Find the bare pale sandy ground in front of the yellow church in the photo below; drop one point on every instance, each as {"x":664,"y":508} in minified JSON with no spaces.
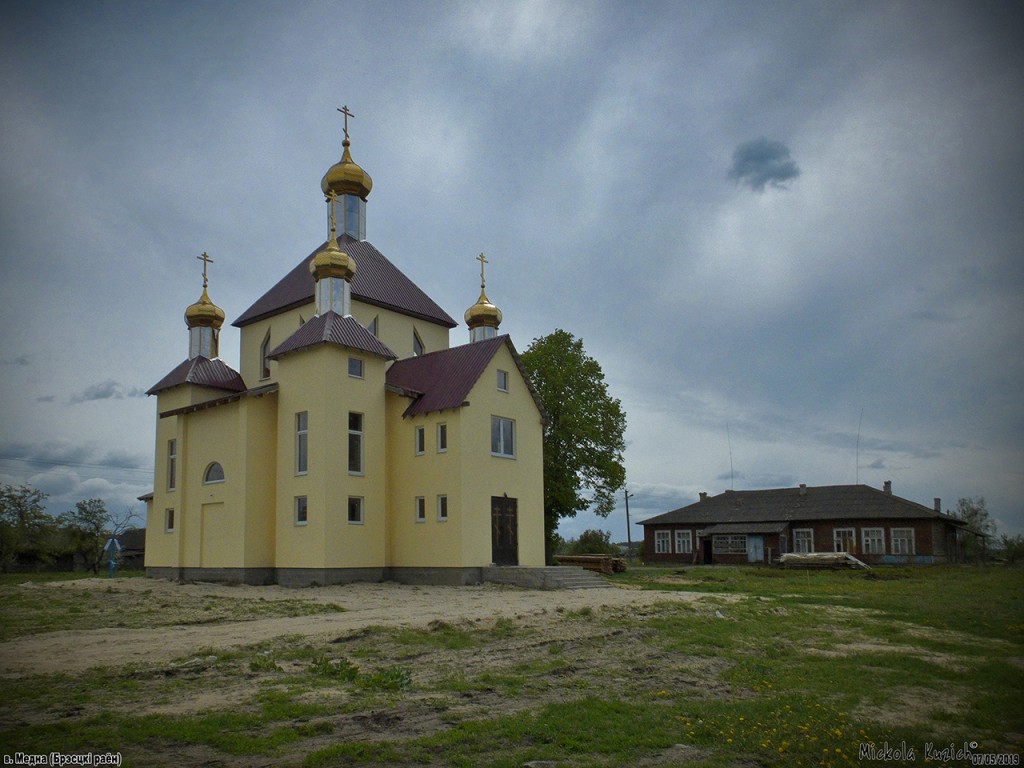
{"x":365,"y":606}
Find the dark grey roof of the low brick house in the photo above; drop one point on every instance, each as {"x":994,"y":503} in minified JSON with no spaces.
{"x":800,"y":504}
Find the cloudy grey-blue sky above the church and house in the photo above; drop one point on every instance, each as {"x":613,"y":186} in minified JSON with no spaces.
{"x":792,"y":234}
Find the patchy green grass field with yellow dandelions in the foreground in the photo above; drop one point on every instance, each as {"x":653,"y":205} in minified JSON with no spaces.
{"x":765,"y":668}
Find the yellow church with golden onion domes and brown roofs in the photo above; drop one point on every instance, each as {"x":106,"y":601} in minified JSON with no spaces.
{"x":355,"y":444}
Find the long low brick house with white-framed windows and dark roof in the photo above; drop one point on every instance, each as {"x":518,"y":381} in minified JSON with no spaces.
{"x":757,"y":527}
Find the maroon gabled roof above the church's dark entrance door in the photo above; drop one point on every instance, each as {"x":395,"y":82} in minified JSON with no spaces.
{"x":442,"y":380}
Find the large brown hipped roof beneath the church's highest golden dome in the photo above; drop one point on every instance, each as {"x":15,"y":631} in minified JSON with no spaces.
{"x":377,"y":282}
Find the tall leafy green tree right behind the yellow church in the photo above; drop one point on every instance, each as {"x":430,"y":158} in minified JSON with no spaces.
{"x":584,"y":436}
